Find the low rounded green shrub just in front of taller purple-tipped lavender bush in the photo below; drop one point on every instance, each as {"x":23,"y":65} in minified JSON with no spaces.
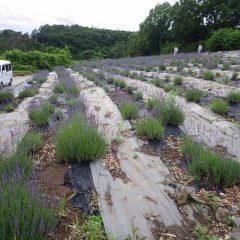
{"x":150,"y":129}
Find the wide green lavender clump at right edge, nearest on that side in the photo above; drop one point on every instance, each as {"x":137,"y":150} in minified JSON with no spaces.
{"x":224,"y":171}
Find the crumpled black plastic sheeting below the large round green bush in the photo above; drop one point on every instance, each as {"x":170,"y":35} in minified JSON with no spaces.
{"x":79,"y":178}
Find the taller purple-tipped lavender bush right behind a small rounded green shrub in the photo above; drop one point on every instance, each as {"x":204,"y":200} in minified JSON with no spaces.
{"x":169,"y":113}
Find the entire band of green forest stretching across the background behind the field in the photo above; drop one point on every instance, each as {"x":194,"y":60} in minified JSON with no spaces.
{"x":213,"y":23}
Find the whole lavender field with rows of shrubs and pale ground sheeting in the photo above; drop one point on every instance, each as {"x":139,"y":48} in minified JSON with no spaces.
{"x":129,"y":148}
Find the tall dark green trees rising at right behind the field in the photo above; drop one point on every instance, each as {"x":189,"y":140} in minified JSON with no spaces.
{"x":186,"y":24}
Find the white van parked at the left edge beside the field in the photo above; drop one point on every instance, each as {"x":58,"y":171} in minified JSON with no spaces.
{"x":6,"y":74}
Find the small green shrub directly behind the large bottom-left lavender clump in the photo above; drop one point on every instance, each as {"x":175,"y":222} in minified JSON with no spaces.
{"x":30,"y":144}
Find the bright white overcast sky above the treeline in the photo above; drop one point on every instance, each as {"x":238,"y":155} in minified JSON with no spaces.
{"x":25,"y":15}
